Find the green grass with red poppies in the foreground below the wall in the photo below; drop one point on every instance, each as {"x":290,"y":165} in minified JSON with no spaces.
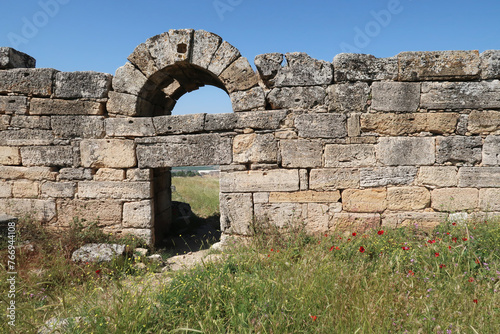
{"x":403,"y":282}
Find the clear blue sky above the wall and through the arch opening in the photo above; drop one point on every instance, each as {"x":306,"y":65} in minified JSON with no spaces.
{"x":77,"y":35}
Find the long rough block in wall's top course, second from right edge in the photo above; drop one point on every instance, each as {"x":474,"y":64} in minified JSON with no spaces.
{"x":438,"y":65}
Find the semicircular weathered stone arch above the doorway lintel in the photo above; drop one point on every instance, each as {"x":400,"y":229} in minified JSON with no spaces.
{"x":168,"y":65}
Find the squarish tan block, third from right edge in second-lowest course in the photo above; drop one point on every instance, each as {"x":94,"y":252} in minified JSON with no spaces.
{"x":408,"y":198}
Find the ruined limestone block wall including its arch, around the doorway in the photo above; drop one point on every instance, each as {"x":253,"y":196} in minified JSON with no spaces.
{"x":351,"y":144}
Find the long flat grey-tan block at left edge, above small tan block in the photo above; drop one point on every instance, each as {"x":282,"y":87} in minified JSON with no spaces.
{"x":26,"y":137}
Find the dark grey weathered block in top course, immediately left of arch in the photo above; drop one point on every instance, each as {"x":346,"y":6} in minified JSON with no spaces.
{"x":87,"y":84}
